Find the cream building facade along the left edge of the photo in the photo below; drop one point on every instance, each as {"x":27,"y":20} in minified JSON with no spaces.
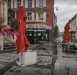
{"x":3,"y":14}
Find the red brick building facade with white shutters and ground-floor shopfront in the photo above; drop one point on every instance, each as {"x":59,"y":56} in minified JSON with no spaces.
{"x":40,"y":18}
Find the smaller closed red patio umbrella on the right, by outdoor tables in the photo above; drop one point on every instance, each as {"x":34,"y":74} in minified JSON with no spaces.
{"x":66,"y":36}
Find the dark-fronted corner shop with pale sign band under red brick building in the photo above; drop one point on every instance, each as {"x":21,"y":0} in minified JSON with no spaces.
{"x":36,"y":33}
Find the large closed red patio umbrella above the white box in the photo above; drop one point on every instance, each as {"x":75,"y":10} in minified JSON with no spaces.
{"x":22,"y":41}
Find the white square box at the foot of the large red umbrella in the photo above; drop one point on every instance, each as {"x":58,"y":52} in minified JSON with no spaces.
{"x":27,"y":58}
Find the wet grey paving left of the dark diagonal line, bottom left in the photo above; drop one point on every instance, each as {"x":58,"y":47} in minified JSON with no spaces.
{"x":6,"y":61}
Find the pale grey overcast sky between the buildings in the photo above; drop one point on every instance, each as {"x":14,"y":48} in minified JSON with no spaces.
{"x":66,"y":10}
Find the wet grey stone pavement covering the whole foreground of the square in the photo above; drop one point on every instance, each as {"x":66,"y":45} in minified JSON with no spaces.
{"x":47,"y":63}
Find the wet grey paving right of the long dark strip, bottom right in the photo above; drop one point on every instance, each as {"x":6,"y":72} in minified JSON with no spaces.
{"x":66,"y":64}
